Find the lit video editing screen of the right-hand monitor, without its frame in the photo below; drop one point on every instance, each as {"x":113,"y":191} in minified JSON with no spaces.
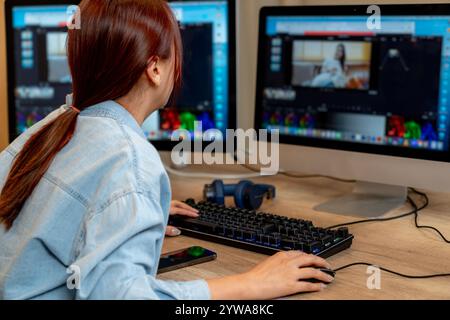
{"x":332,"y":78}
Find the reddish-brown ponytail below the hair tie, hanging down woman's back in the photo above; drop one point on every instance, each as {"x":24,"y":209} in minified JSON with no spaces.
{"x":32,"y":162}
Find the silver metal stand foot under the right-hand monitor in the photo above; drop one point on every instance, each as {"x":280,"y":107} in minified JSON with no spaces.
{"x":368,"y":200}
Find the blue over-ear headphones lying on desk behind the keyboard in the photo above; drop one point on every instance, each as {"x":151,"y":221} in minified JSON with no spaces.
{"x":247,"y":195}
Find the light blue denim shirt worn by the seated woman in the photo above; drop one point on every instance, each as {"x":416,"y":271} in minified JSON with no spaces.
{"x":95,"y":221}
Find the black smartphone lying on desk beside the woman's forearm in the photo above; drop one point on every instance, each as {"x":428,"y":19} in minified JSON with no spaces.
{"x":184,"y":258}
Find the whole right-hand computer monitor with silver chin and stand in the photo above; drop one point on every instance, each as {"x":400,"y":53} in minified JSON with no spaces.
{"x":356,"y":99}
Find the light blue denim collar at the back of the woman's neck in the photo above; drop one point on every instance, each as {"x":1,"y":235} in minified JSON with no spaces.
{"x":113,"y":110}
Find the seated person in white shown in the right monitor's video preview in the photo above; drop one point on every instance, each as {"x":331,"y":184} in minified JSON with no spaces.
{"x":332,"y":74}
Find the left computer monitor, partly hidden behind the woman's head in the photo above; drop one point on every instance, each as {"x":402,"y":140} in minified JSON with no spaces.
{"x":39,"y":77}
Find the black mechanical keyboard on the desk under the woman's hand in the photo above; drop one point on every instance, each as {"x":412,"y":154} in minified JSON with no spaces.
{"x":260,"y":232}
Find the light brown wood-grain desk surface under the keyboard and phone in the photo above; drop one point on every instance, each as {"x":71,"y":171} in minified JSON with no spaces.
{"x":396,"y":245}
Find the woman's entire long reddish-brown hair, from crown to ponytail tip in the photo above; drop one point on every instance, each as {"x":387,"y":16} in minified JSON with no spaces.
{"x":107,"y":56}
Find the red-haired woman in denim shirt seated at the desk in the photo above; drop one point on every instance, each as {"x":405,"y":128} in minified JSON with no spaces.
{"x":85,"y":196}
